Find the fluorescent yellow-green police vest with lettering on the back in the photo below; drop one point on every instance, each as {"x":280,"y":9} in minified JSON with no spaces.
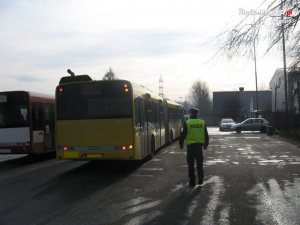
{"x":195,"y":131}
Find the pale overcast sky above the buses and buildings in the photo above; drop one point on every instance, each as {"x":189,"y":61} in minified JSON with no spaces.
{"x":140,"y":40}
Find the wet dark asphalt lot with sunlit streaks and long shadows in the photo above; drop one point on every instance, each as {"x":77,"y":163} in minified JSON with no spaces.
{"x":250,"y":178}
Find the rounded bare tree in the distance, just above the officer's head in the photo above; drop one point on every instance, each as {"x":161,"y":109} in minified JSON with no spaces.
{"x":200,"y":97}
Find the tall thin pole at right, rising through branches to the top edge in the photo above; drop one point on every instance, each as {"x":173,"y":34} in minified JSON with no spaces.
{"x":284,"y":68}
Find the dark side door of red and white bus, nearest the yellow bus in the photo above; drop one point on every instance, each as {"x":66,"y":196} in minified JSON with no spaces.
{"x":48,"y":126}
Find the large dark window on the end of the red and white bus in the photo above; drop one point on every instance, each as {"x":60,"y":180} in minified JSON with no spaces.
{"x":14,"y":109}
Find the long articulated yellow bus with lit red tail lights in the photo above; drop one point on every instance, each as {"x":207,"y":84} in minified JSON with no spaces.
{"x":112,"y":120}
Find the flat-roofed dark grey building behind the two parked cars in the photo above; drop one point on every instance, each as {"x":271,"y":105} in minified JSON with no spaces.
{"x":240,"y":105}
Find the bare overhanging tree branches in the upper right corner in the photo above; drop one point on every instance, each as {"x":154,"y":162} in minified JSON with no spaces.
{"x":279,"y":18}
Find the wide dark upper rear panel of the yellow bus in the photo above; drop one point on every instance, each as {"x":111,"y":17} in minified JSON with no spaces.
{"x":93,"y":100}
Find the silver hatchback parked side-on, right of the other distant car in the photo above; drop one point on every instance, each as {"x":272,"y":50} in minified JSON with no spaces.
{"x":251,"y":124}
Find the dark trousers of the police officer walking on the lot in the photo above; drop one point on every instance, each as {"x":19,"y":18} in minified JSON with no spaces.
{"x":195,"y":153}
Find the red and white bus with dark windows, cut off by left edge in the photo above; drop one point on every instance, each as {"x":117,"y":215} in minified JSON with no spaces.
{"x":26,"y":122}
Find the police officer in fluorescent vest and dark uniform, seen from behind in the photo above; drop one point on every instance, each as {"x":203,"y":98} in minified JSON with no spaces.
{"x":195,"y":136}
